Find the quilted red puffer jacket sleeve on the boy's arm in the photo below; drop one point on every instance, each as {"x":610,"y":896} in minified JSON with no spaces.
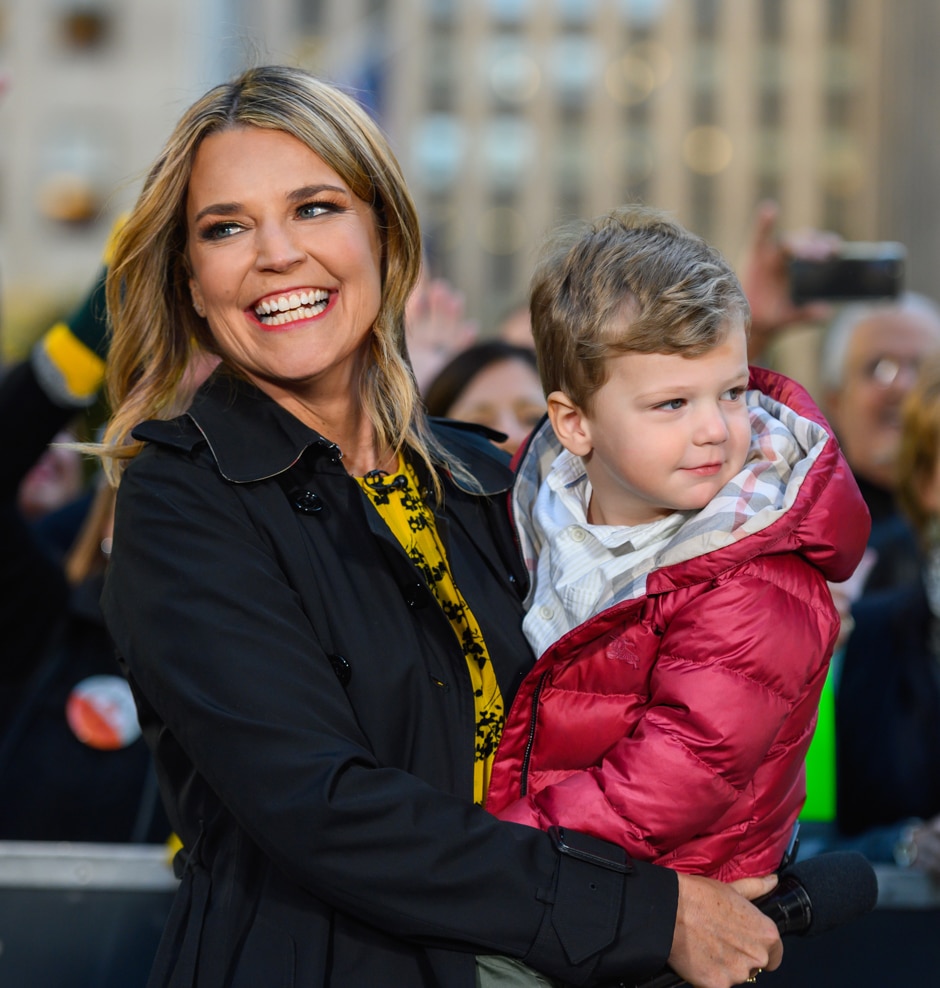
{"x":737,"y":675}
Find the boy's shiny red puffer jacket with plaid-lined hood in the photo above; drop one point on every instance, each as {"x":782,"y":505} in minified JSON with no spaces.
{"x":676,"y":721}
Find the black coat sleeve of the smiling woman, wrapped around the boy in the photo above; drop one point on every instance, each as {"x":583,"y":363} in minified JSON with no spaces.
{"x":217,"y":643}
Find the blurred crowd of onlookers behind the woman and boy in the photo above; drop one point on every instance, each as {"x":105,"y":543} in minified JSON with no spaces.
{"x":67,"y":717}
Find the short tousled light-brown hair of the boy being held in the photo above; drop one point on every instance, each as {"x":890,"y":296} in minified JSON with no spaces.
{"x":632,"y":280}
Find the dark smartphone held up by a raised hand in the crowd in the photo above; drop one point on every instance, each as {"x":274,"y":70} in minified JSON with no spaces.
{"x":860,"y":270}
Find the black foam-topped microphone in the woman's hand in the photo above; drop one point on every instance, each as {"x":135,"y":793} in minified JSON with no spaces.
{"x":813,"y":897}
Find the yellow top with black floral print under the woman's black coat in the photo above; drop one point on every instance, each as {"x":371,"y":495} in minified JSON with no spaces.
{"x":400,"y":504}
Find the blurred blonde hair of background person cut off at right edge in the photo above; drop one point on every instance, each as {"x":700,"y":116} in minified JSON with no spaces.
{"x":919,"y":450}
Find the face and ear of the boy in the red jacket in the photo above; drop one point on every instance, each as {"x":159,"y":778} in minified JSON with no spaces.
{"x":666,"y":432}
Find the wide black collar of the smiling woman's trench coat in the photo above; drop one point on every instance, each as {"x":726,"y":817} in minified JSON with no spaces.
{"x":251,"y":437}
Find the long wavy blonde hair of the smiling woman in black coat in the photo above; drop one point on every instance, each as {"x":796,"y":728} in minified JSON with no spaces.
{"x":155,"y":330}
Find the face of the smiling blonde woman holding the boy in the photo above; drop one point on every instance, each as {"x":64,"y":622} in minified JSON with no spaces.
{"x":285,"y":263}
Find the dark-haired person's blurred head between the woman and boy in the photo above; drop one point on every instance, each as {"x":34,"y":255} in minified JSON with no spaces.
{"x":493,"y":383}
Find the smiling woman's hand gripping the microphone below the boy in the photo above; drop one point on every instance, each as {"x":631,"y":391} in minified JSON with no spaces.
{"x":721,"y":939}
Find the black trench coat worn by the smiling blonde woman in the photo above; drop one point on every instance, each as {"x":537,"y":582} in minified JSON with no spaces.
{"x":313,"y":726}
